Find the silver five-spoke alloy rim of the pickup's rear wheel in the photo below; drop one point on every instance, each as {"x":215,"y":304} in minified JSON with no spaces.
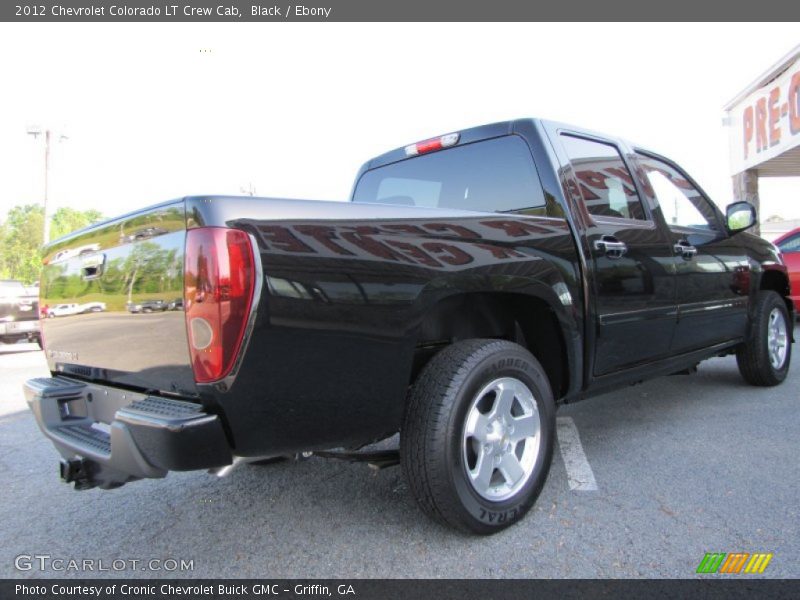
{"x":501,"y":440}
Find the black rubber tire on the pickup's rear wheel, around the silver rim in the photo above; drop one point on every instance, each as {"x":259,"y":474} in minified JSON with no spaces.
{"x":431,"y":443}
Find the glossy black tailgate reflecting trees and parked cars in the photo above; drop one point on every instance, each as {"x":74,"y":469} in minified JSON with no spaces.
{"x":113,"y":296}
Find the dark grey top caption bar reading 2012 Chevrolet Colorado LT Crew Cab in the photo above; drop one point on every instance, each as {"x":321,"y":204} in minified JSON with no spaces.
{"x":240,"y":11}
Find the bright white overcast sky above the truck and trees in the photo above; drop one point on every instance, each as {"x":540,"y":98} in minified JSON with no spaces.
{"x":296,"y":108}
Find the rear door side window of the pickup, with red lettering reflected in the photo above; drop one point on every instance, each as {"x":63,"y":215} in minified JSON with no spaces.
{"x":605,"y":183}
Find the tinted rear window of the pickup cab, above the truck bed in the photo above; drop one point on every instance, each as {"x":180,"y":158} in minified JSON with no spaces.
{"x":493,"y":176}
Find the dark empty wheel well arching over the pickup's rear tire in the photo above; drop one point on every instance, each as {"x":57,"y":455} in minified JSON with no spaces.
{"x":526,"y":320}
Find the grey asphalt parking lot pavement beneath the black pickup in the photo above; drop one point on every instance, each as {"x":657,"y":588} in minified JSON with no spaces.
{"x":682,"y":465}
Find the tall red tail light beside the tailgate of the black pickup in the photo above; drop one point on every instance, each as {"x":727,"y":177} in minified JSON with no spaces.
{"x":219,"y":280}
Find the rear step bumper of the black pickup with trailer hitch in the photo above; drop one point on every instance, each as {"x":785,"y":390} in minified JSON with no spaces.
{"x":108,"y":437}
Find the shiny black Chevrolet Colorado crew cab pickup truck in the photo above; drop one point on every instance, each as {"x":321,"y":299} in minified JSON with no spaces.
{"x":475,"y":281}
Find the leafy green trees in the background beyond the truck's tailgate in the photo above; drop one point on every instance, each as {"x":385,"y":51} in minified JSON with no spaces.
{"x":21,"y":237}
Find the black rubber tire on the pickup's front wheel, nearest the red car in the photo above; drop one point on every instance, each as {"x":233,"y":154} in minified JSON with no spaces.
{"x":753,"y":356}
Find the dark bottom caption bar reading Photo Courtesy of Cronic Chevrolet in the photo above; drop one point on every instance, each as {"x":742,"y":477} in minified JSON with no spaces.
{"x":382,"y":589}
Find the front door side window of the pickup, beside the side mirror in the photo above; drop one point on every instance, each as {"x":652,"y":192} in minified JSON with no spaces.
{"x":681,"y":203}
